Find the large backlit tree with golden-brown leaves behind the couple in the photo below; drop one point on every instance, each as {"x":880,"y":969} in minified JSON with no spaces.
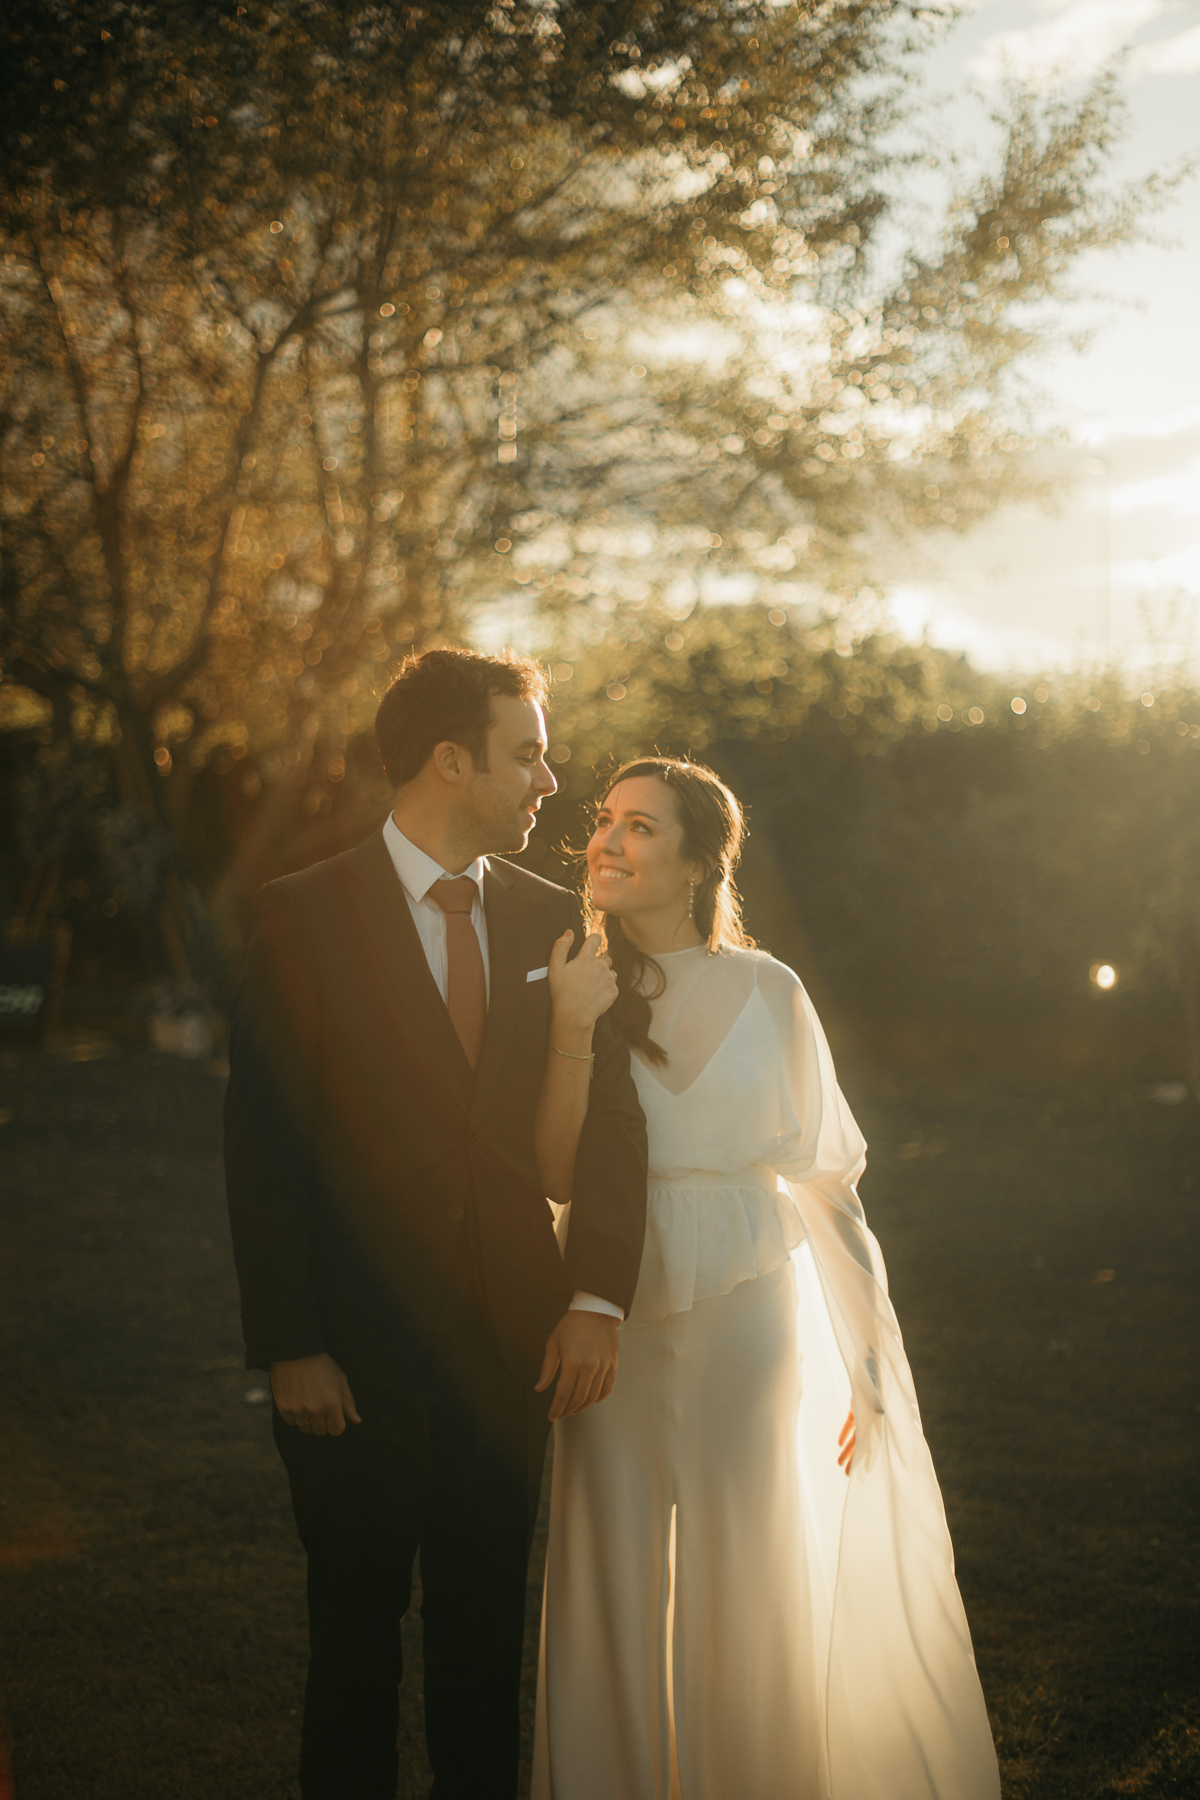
{"x":321,"y":332}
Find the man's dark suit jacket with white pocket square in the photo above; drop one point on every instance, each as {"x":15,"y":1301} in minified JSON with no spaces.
{"x":372,"y":1173}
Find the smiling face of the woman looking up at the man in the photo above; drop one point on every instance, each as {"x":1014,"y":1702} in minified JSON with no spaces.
{"x":636,"y":854}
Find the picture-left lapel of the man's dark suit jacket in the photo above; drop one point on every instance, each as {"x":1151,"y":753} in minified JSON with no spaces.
{"x":384,"y":912}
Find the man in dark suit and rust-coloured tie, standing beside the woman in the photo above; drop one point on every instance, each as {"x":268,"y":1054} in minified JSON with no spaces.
{"x":399,"y":1266}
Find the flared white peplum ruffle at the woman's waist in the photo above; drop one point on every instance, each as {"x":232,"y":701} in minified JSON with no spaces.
{"x":706,"y":1234}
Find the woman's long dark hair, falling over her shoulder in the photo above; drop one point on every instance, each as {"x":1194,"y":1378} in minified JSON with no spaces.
{"x":713,"y":834}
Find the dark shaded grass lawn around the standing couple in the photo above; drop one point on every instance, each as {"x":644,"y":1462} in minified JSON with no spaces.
{"x":152,"y":1592}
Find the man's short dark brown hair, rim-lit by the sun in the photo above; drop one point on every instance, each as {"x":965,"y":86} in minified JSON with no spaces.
{"x":445,"y":696}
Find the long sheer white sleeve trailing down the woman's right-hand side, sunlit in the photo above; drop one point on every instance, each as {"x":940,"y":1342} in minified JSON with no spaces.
{"x":906,"y":1718}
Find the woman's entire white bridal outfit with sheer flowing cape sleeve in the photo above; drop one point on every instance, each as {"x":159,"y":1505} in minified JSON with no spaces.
{"x":728,"y":1617}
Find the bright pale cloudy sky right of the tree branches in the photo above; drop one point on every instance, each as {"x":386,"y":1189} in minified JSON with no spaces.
{"x":1113,"y":573}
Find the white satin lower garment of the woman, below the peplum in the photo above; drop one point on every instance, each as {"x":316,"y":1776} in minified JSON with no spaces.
{"x":677,"y":1650}
